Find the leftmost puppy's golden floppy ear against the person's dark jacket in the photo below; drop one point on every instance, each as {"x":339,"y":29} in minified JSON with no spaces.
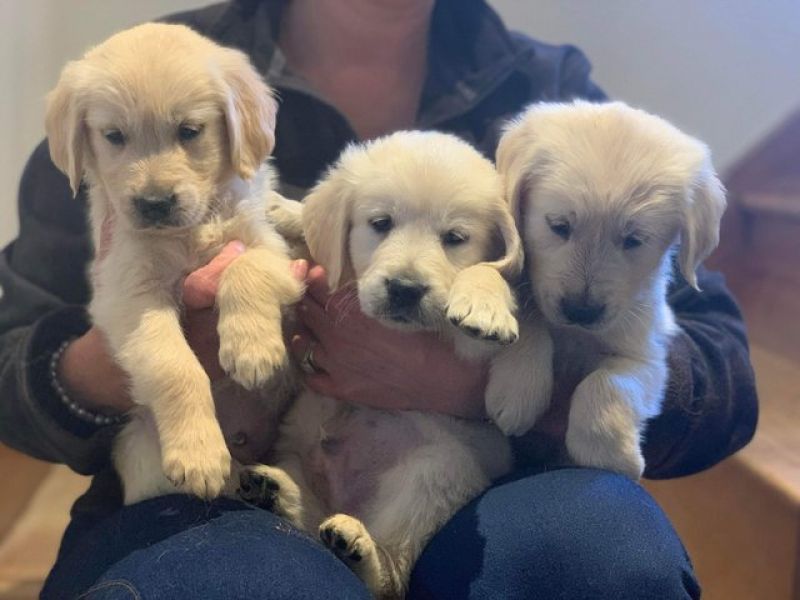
{"x":250,"y":112}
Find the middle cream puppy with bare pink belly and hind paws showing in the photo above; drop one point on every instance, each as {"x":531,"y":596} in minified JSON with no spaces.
{"x":417,"y":225}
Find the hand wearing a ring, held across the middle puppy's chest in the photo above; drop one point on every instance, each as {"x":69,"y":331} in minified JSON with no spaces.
{"x":364,"y":362}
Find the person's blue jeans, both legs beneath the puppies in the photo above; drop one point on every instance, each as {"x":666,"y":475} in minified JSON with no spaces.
{"x":568,"y":533}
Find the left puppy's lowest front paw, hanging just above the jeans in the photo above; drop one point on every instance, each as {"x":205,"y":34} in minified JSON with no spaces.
{"x":200,"y":463}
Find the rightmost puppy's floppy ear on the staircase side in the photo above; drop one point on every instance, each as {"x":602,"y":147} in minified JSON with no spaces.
{"x":702,"y":212}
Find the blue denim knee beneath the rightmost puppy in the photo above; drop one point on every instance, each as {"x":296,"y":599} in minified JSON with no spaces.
{"x":570,"y":534}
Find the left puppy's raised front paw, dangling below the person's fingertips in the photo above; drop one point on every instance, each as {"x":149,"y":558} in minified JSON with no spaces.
{"x":250,"y":350}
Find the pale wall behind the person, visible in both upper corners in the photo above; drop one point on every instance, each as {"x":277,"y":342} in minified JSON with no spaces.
{"x":726,"y":70}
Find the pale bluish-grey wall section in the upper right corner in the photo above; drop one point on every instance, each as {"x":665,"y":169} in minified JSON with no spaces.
{"x":726,"y":70}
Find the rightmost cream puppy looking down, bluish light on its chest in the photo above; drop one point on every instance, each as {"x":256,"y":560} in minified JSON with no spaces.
{"x":604,"y":196}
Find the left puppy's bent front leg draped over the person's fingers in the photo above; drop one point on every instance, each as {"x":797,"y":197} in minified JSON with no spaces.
{"x":252,"y":292}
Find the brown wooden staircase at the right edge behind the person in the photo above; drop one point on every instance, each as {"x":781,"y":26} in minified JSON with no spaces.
{"x":740,"y":520}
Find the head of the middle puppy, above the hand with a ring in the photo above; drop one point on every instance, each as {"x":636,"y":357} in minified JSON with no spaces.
{"x":402,"y":215}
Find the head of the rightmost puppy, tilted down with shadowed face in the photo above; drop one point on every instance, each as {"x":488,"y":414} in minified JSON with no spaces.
{"x":602,"y":193}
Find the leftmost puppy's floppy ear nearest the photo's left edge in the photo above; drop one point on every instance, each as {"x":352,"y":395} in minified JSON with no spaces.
{"x":65,"y":127}
